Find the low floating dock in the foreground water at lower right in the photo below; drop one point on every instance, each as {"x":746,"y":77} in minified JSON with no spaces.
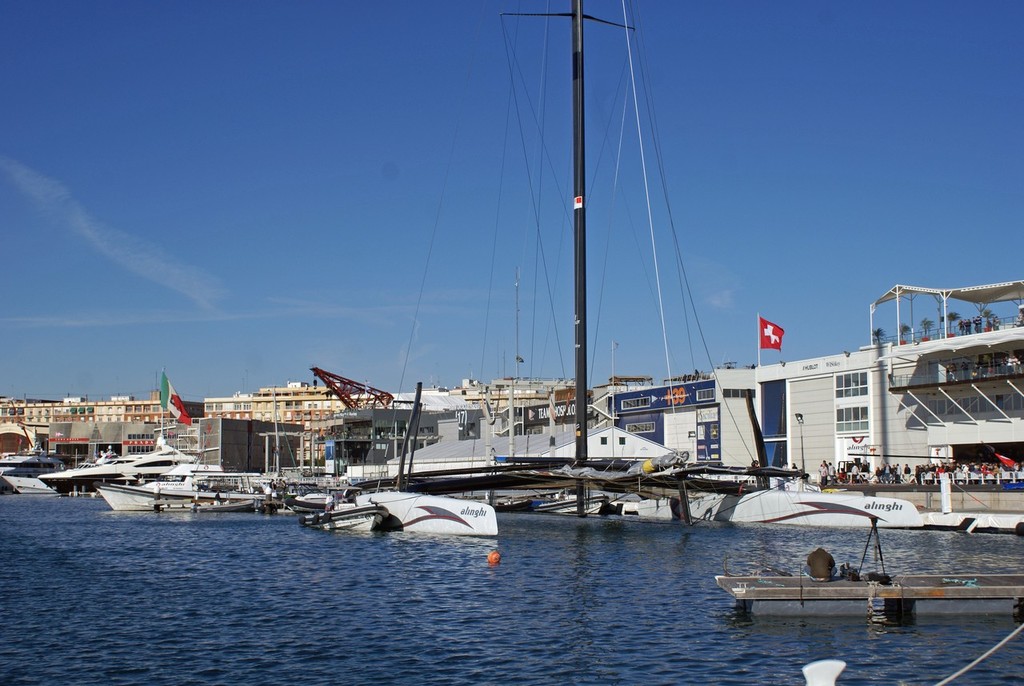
{"x":906,"y":595}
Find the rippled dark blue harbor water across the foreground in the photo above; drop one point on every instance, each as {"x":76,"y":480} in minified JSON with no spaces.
{"x":98,"y":597}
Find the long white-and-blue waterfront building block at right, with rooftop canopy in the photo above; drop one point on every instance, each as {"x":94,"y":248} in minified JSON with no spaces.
{"x":930,"y":394}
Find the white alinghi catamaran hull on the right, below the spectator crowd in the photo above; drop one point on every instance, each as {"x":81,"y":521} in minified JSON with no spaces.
{"x":806,"y":509}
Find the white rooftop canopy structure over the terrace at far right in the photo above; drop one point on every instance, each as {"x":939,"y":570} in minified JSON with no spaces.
{"x":978,"y":296}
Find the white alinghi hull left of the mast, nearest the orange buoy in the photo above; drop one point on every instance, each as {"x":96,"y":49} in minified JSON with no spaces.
{"x":435,"y":514}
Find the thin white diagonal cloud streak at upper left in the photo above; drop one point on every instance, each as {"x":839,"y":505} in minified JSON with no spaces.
{"x":124,"y":250}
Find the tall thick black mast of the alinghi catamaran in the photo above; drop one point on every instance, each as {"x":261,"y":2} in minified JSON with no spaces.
{"x":580,"y":240}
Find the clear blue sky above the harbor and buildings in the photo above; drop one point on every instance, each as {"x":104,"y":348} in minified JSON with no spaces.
{"x":236,"y":192}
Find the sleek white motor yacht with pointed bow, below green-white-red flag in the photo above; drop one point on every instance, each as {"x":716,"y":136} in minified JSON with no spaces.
{"x":118,"y":469}
